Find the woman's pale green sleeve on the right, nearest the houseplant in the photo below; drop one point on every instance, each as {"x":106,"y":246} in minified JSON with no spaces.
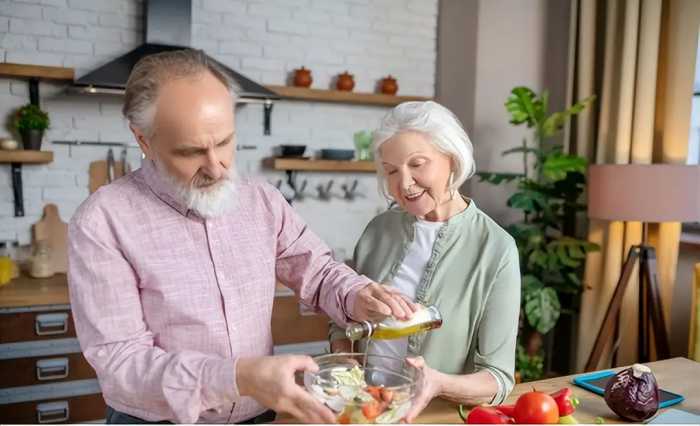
{"x":498,"y":328}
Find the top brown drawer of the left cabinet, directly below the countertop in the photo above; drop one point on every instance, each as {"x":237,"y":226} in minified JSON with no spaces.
{"x":28,"y":326}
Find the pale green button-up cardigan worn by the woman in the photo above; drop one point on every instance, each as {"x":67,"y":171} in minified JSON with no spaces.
{"x":472,"y":276}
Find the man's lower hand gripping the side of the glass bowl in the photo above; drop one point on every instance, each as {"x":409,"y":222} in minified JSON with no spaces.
{"x":270,"y":381}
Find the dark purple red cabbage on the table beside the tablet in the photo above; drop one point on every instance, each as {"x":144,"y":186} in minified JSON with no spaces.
{"x":633,"y":393}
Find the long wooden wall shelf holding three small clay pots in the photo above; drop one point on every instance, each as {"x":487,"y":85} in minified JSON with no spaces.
{"x":319,"y":95}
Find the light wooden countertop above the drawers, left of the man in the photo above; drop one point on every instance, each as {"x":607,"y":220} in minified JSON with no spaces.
{"x":26,"y":291}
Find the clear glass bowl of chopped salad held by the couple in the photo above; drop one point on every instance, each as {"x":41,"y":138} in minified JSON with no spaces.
{"x":362,"y":388}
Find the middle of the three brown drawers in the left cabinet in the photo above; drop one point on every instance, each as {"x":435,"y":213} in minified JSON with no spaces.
{"x":45,"y":369}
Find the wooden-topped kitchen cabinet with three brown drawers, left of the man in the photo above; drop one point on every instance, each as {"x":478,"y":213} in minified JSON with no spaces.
{"x":45,"y":378}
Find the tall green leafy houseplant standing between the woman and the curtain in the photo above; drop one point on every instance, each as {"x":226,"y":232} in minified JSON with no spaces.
{"x":548,"y":194}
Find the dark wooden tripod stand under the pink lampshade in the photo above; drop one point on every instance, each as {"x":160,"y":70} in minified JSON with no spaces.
{"x":650,"y":309}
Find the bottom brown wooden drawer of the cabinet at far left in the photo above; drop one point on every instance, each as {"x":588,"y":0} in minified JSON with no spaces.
{"x":64,"y":410}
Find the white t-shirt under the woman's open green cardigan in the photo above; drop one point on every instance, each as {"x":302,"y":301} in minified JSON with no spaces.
{"x":407,"y":279}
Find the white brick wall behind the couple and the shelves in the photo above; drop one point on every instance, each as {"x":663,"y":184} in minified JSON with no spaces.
{"x":265,"y":40}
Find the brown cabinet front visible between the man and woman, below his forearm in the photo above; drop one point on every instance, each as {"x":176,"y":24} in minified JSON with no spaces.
{"x":289,"y":325}
